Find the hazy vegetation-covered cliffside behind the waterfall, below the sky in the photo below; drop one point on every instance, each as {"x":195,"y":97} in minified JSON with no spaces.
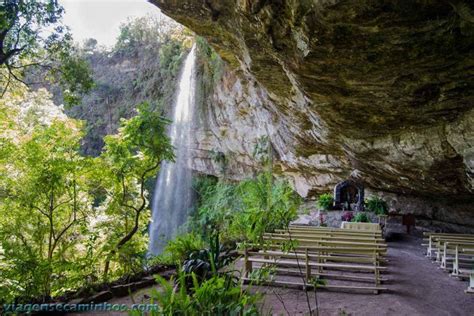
{"x":142,"y":67}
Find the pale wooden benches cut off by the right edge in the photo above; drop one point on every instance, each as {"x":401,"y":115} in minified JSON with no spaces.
{"x":454,"y":253}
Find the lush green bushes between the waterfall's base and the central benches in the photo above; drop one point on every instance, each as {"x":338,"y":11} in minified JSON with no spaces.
{"x":246,"y":210}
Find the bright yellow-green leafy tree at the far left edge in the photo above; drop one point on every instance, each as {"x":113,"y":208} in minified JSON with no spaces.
{"x":45,"y":202}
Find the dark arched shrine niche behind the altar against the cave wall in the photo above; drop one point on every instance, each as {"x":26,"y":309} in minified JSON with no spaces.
{"x":349,"y":195}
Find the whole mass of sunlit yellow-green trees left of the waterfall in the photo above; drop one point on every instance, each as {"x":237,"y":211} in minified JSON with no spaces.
{"x":66,"y":219}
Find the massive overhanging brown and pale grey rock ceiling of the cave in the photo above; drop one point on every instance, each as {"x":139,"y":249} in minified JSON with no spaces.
{"x":379,"y":91}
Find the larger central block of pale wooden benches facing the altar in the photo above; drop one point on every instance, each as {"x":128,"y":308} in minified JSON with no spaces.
{"x":328,"y":253}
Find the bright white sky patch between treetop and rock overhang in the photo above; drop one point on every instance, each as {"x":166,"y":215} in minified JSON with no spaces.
{"x":101,"y":19}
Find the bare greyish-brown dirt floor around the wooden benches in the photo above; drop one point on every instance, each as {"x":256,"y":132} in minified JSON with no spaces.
{"x":416,"y":287}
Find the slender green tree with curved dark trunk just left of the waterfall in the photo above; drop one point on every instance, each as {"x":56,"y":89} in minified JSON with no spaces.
{"x":130,"y":158}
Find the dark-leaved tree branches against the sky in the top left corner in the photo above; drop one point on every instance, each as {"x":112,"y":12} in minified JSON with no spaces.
{"x":31,"y":35}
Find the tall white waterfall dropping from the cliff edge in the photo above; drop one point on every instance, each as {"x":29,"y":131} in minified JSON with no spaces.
{"x":173,"y":196}
